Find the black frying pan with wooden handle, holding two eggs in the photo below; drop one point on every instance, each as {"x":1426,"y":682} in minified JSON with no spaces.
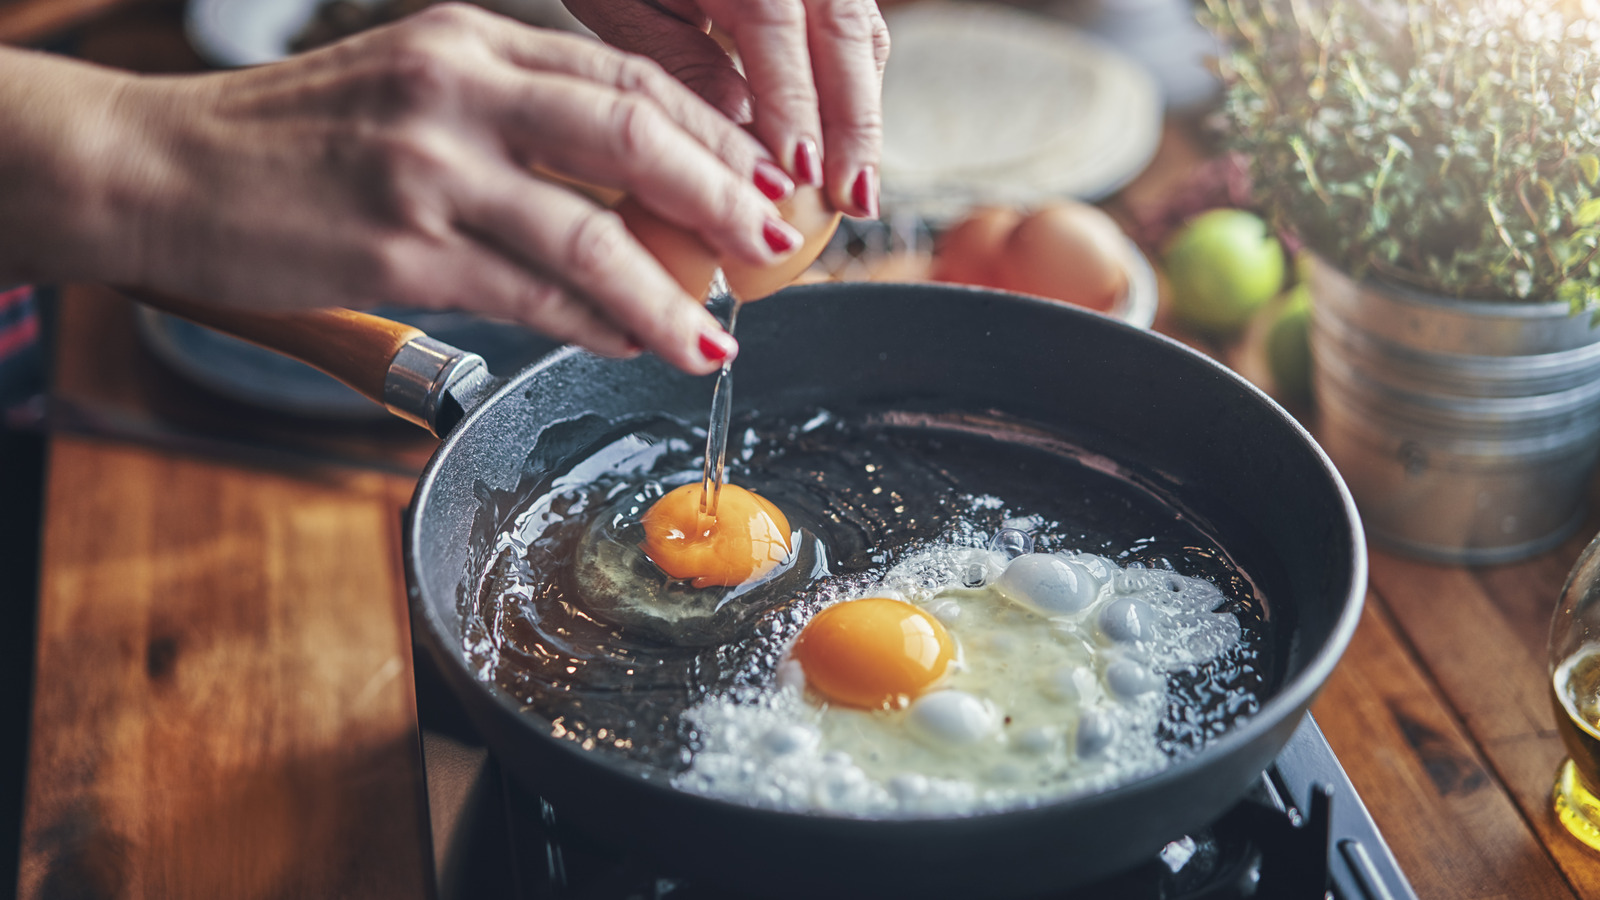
{"x":1220,"y":452}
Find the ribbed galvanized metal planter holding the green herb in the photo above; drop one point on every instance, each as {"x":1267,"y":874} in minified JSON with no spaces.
{"x":1466,"y":430}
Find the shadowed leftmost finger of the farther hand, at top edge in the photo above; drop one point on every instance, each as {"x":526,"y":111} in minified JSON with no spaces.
{"x":679,"y":44}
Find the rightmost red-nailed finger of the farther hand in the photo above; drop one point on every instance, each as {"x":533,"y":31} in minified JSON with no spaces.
{"x":850,"y":46}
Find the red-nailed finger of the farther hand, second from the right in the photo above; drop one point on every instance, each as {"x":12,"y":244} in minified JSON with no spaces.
{"x":774,"y":49}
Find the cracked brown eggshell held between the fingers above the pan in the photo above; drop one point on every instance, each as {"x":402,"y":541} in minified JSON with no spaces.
{"x":690,"y":262}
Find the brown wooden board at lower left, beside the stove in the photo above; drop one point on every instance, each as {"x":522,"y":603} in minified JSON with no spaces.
{"x":225,"y":701}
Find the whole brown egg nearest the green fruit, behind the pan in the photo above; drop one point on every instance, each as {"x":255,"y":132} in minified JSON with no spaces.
{"x":1070,"y":252}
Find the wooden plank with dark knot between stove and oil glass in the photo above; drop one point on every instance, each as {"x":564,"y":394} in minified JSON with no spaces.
{"x":1447,"y":819}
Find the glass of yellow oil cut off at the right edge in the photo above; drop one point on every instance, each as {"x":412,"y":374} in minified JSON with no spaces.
{"x":1575,"y":696}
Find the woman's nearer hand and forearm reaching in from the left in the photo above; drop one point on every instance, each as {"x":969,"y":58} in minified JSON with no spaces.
{"x":391,"y":169}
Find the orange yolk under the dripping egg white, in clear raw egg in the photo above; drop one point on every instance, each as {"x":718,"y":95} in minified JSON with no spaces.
{"x":745,"y":540}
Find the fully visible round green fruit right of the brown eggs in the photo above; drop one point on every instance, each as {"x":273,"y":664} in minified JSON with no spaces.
{"x":1223,"y":267}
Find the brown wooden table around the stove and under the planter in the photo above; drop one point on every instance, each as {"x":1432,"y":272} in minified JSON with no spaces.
{"x":225,"y":701}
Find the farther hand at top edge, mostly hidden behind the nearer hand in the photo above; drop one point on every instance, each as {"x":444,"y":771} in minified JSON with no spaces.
{"x":814,"y":73}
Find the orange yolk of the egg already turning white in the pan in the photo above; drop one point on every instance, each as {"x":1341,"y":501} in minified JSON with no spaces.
{"x":874,"y":653}
